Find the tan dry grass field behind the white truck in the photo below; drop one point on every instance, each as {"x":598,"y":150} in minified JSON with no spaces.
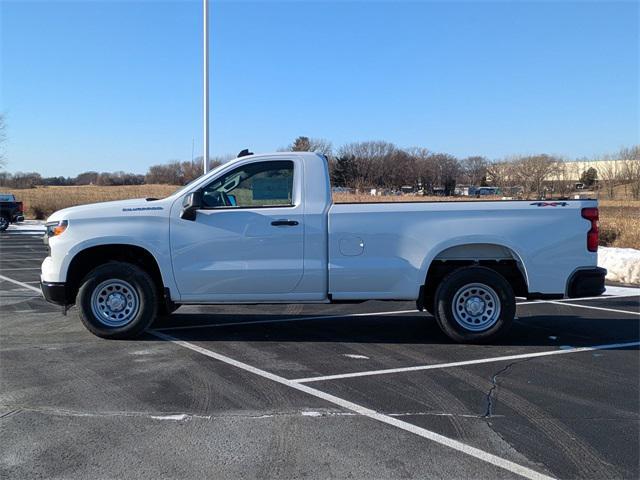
{"x":619,"y":219}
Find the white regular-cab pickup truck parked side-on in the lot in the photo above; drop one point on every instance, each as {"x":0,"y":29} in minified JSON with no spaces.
{"x":264,"y":229}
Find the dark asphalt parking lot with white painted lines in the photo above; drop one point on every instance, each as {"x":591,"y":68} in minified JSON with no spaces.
{"x":317,"y":391}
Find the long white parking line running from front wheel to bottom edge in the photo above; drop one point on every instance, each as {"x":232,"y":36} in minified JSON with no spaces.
{"x":367,"y":412}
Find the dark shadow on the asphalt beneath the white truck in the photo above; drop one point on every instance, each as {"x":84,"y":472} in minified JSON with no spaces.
{"x":535,"y":330}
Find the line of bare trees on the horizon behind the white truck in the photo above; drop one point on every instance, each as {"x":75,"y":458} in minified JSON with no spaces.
{"x":383,"y":165}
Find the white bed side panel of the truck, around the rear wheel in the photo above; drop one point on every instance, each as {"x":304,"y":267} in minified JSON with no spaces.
{"x":384,"y":250}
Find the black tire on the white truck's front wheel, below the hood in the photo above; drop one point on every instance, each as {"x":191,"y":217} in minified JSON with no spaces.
{"x":138,"y":284}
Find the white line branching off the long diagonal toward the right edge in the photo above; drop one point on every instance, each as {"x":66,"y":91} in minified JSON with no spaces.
{"x":466,"y":362}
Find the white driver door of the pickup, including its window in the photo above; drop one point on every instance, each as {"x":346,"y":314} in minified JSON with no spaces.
{"x":246,"y":242}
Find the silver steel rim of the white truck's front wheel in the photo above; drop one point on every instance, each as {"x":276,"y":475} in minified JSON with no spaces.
{"x":115,"y":303}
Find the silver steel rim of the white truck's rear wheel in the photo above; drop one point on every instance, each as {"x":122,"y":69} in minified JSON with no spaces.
{"x":476,"y":307}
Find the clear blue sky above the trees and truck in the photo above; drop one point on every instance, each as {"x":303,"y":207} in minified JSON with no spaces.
{"x":97,"y":85}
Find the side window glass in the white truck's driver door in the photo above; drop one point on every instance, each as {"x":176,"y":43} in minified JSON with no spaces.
{"x":259,"y":184}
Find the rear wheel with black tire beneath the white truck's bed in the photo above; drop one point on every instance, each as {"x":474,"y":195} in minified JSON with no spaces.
{"x":498,"y":302}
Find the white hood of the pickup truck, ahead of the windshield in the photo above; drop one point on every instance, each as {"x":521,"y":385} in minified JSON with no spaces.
{"x":115,"y":208}
